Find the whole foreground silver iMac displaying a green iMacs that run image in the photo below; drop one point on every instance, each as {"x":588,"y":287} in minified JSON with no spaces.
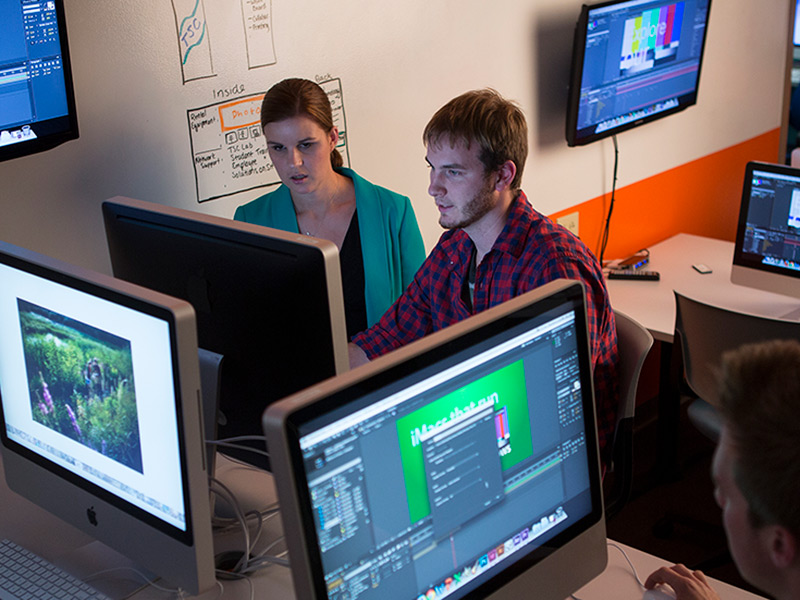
{"x":464,"y":465}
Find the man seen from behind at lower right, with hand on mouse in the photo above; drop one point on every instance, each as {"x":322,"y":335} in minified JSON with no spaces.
{"x":756,"y":470}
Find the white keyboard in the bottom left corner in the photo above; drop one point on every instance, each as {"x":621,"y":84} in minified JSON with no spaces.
{"x":24,"y":576}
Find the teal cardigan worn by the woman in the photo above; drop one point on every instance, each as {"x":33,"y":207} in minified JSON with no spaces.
{"x":391,"y":244}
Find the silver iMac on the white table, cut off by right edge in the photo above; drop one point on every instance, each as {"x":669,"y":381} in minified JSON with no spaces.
{"x":767,"y":248}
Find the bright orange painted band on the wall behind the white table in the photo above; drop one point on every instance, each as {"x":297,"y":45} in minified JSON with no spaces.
{"x":700,"y":197}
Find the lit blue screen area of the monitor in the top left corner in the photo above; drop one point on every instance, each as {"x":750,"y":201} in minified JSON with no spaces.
{"x":31,"y":68}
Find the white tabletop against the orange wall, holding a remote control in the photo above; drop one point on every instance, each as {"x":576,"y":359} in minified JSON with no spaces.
{"x":652,"y":303}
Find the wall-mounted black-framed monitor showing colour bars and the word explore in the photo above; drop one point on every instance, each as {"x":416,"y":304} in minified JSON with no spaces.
{"x":633,"y":61}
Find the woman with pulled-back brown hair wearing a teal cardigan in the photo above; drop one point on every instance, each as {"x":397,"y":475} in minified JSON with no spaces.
{"x":376,"y":231}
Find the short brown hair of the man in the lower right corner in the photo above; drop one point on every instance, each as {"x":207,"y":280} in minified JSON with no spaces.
{"x":760,"y":406}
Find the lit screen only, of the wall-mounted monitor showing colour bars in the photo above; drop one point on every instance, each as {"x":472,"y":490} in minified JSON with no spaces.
{"x":641,"y":61}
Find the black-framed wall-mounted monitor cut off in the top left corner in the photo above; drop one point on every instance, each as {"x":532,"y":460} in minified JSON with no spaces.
{"x":37,"y":103}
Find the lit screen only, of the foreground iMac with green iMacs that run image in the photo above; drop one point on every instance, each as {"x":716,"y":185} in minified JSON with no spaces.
{"x":440,"y":483}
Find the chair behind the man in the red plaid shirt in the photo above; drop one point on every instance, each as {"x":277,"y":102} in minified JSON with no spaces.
{"x":633,"y":342}
